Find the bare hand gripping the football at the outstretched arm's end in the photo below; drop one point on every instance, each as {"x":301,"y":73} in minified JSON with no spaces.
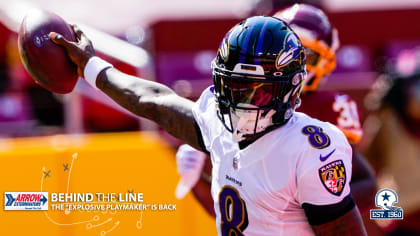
{"x":79,"y":52}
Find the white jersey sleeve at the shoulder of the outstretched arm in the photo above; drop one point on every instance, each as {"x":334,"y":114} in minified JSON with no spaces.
{"x":202,"y":112}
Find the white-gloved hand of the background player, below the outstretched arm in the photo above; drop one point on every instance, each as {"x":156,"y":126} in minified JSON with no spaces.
{"x":190,"y":163}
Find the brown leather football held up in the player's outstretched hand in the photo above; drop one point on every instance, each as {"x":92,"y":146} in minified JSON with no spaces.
{"x":47,"y":62}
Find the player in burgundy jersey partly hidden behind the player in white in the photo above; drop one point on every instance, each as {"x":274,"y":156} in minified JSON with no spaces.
{"x":320,"y":40}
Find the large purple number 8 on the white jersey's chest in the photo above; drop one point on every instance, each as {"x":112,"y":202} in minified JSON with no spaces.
{"x":232,"y":212}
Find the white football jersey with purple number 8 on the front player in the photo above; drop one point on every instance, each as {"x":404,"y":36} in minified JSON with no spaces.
{"x":259,"y":190}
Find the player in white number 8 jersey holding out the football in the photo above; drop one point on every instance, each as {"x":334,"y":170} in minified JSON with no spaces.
{"x":275,"y":172}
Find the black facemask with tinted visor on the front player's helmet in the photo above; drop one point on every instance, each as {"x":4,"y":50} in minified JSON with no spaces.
{"x":249,"y":102}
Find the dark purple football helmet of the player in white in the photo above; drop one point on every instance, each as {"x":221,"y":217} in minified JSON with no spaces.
{"x":258,"y":74}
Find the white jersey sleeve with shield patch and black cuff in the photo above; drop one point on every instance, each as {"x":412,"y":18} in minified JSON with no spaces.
{"x":323,"y":179}
